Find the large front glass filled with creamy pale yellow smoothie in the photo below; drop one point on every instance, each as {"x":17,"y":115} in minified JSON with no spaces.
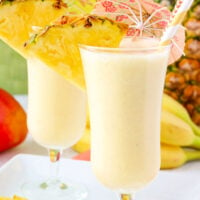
{"x":124,"y":87}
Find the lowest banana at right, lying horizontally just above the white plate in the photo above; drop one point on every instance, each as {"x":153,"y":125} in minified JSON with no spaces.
{"x":174,"y":156}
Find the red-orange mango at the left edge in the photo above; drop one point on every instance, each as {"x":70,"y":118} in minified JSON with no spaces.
{"x":13,"y":127}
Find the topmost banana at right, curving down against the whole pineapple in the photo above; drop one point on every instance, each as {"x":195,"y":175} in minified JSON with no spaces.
{"x":173,"y":106}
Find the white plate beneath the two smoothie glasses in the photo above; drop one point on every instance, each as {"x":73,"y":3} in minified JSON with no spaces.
{"x":179,"y":184}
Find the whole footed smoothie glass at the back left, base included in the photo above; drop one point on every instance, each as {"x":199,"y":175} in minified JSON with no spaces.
{"x":56,"y":120}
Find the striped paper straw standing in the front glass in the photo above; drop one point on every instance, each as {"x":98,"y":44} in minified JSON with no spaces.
{"x":178,"y":15}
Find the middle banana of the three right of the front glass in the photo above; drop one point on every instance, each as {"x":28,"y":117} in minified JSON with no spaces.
{"x":175,"y":131}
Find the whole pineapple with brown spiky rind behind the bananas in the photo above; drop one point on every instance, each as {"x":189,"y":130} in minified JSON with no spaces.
{"x":183,"y":77}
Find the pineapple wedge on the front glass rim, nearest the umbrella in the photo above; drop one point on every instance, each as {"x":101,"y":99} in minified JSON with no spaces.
{"x":57,"y":45}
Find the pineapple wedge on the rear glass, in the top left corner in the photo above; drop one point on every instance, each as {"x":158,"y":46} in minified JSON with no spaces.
{"x":18,"y":16}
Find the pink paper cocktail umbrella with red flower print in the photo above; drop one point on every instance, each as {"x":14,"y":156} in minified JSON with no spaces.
{"x":145,"y":18}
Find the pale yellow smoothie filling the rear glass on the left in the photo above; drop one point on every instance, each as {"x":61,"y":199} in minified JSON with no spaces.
{"x":56,"y":109}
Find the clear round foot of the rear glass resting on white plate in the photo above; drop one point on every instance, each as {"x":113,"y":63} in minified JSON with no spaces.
{"x":55,"y":190}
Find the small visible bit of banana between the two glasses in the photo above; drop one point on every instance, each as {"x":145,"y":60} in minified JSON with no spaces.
{"x":84,"y":143}
